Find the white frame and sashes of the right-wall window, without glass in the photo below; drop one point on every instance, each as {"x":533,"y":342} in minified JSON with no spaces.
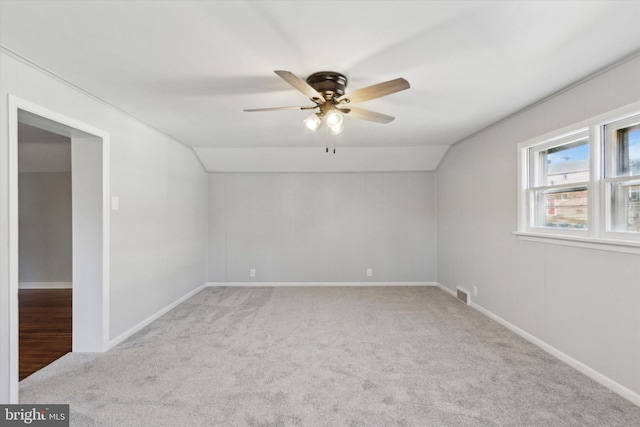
{"x":598,"y":235}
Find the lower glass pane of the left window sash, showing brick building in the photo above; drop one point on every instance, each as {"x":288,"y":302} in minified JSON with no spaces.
{"x":562,"y":209}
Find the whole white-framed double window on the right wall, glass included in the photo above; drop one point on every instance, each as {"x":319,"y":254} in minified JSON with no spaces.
{"x":583,"y":183}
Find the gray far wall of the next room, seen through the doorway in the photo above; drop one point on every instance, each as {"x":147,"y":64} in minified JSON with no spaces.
{"x":45,"y":227}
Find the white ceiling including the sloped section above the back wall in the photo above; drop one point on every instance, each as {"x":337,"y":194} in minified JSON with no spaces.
{"x":189,"y":68}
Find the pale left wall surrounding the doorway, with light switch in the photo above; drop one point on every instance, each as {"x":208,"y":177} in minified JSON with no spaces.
{"x":158,"y":237}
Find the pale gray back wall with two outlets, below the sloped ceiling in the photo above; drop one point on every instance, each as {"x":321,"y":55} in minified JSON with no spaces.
{"x":322,"y":227}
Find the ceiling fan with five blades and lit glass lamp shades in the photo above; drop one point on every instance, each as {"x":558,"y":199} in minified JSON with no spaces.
{"x":327,"y":90}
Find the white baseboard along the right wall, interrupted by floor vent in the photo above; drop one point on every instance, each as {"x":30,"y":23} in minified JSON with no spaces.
{"x":579,"y":366}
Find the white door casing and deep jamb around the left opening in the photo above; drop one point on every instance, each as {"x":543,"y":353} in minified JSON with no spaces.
{"x":89,"y":148}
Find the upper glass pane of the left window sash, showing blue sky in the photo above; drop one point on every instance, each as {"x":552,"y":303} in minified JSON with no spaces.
{"x":565,"y":164}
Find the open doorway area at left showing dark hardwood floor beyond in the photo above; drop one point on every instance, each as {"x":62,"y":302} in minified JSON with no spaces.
{"x":45,"y":248}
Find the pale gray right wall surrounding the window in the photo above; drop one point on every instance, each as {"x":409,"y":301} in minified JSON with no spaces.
{"x":583,"y":302}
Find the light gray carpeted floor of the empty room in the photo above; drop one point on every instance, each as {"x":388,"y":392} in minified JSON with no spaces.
{"x":325,"y":356}
